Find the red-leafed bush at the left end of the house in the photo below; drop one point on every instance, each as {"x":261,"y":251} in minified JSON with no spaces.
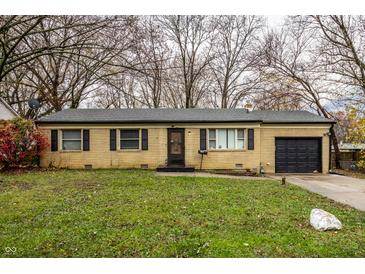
{"x":21,"y":143}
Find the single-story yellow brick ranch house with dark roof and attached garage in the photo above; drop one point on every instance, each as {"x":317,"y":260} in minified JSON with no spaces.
{"x":269,"y":141}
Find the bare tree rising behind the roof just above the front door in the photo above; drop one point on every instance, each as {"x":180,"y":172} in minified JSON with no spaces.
{"x":192,"y":37}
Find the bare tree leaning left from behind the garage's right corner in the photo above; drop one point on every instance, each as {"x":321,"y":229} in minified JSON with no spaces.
{"x":292,"y":56}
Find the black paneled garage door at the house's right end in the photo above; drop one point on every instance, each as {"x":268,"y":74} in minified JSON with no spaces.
{"x":298,"y":155}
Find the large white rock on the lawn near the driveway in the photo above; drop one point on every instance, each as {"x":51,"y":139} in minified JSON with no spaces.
{"x":323,"y":220}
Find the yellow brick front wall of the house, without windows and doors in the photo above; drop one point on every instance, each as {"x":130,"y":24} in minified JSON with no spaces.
{"x":100,"y":155}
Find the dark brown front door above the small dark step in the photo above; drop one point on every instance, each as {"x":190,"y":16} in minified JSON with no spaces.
{"x":176,"y":146}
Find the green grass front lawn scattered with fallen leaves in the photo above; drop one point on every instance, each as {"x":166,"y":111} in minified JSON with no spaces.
{"x":130,"y":213}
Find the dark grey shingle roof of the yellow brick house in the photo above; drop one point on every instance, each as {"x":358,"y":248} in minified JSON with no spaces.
{"x":180,"y":115}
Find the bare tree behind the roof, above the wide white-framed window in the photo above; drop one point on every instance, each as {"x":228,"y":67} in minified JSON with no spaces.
{"x":236,"y":48}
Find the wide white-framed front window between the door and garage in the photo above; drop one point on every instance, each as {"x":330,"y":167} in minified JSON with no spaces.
{"x":226,"y":138}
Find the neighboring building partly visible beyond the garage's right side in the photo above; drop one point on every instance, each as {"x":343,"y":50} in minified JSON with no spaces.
{"x":349,"y":154}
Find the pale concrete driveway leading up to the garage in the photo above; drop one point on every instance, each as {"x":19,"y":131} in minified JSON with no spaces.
{"x":342,"y":189}
